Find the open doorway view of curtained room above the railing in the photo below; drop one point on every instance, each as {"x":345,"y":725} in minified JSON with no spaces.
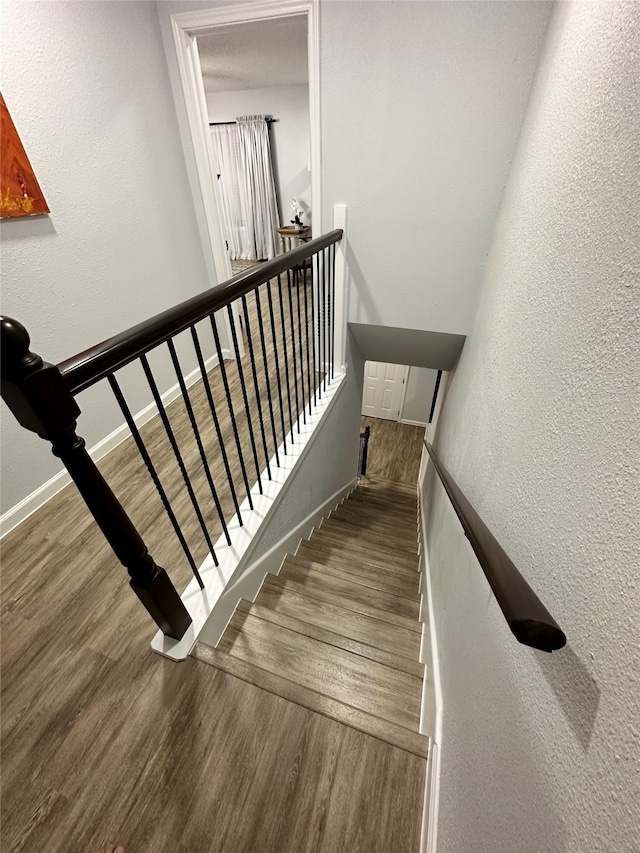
{"x":256,"y":84}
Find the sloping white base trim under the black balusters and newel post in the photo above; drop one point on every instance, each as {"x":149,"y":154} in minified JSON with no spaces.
{"x":232,"y":559}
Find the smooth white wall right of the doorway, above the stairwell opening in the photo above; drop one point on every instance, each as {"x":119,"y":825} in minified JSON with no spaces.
{"x":421,"y":108}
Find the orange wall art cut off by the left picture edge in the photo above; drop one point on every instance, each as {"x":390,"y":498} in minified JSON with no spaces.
{"x":20,"y":193}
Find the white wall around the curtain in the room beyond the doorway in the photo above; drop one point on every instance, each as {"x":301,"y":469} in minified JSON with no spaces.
{"x":289,"y":134}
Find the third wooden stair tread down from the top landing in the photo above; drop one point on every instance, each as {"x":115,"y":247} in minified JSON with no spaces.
{"x":350,"y":590}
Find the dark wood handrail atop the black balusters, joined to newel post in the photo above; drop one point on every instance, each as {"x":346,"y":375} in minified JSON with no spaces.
{"x":88,"y":367}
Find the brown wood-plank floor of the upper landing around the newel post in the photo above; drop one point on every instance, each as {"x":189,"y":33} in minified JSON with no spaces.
{"x":104,"y":741}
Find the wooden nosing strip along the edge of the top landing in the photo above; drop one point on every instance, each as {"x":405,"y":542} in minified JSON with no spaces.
{"x":368,"y":723}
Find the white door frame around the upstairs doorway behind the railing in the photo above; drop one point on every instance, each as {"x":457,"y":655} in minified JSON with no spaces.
{"x":185,"y":27}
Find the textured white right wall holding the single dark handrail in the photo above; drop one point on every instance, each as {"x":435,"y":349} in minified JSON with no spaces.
{"x":539,"y":427}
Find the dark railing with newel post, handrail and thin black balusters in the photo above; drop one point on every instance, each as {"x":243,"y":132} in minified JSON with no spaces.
{"x":292,"y":299}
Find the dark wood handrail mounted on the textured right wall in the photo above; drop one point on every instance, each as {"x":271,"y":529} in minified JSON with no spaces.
{"x":527,"y":617}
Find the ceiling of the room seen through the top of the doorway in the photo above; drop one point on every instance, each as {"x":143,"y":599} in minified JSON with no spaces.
{"x":255,"y":55}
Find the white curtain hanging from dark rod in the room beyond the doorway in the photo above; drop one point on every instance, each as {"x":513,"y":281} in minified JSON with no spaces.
{"x":247,"y":188}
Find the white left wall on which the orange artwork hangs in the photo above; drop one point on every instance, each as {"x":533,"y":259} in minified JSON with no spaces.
{"x":87,"y":86}
